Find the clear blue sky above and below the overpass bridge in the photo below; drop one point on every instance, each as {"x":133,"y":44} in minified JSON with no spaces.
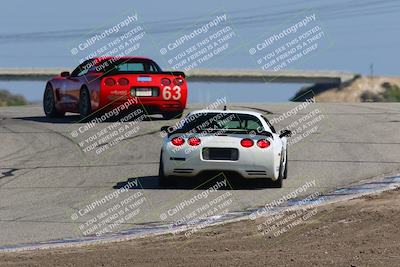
{"x":357,"y":34}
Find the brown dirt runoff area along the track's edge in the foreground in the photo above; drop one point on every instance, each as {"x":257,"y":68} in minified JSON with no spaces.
{"x":360,"y":232}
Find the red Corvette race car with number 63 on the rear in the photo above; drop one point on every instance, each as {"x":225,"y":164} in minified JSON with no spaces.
{"x":101,"y":84}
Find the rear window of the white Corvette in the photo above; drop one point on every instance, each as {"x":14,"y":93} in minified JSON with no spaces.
{"x":200,"y":122}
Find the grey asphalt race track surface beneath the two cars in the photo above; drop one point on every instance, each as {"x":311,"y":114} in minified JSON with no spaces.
{"x":46,"y":178}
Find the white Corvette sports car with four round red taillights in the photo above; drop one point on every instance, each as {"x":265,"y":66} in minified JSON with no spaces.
{"x":242,"y":142}
